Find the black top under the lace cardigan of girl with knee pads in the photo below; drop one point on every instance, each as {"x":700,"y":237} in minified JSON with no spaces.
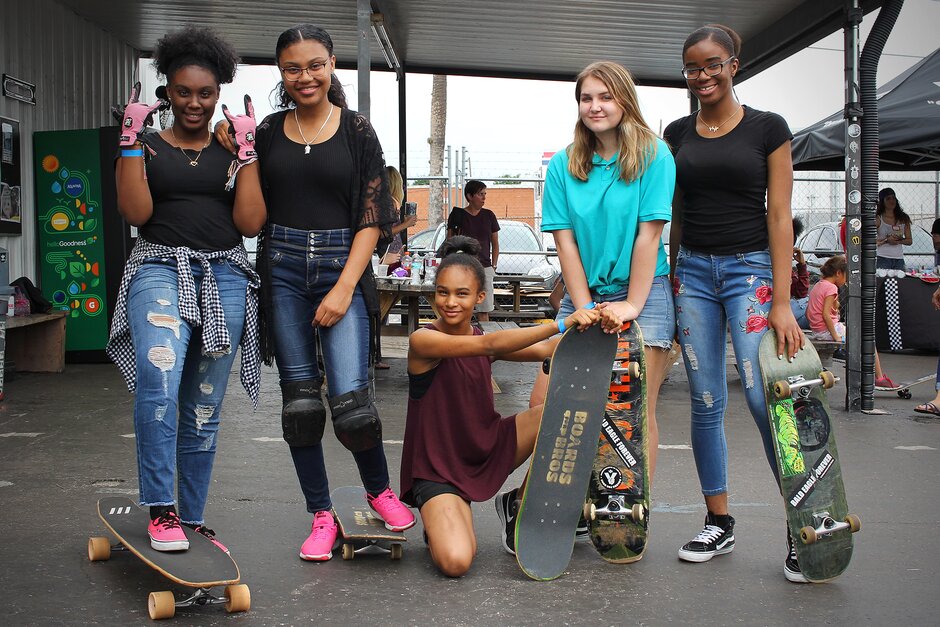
{"x":309,"y":191}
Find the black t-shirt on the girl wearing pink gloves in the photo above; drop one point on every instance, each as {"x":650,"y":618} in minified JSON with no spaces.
{"x":191,"y":206}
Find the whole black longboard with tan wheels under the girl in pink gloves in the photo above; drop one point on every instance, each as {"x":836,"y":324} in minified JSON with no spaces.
{"x":202,"y":566}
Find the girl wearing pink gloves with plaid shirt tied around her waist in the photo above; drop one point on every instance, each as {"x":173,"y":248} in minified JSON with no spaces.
{"x":188,"y":298}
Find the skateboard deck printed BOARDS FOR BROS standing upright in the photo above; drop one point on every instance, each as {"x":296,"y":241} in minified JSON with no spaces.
{"x":579,"y":375}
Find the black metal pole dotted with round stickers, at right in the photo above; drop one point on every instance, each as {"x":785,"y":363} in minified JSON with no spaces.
{"x":853,"y":210}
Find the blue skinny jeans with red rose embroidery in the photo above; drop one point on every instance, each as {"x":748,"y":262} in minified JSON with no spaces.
{"x":714,"y":293}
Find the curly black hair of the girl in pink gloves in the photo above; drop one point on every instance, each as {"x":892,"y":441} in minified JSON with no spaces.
{"x":196,"y":45}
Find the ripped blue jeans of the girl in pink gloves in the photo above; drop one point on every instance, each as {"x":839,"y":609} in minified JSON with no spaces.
{"x":179,"y":389}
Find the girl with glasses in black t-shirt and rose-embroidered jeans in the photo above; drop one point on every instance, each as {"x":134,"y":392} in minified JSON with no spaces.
{"x":733,"y":266}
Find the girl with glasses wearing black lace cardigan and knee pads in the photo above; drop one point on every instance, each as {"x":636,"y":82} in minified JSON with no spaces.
{"x":327,"y":195}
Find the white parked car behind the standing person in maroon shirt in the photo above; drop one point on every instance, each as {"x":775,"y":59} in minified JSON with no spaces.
{"x":520,"y":249}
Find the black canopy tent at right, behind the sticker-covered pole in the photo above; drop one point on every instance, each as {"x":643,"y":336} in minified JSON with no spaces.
{"x":908,"y":123}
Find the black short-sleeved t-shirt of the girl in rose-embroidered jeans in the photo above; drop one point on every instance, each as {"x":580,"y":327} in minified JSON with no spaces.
{"x":724,"y":181}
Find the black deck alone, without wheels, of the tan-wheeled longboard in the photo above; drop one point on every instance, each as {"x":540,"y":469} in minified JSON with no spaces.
{"x":203,"y":565}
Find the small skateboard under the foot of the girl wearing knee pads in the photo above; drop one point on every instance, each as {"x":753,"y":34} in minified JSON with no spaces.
{"x":359,"y":527}
